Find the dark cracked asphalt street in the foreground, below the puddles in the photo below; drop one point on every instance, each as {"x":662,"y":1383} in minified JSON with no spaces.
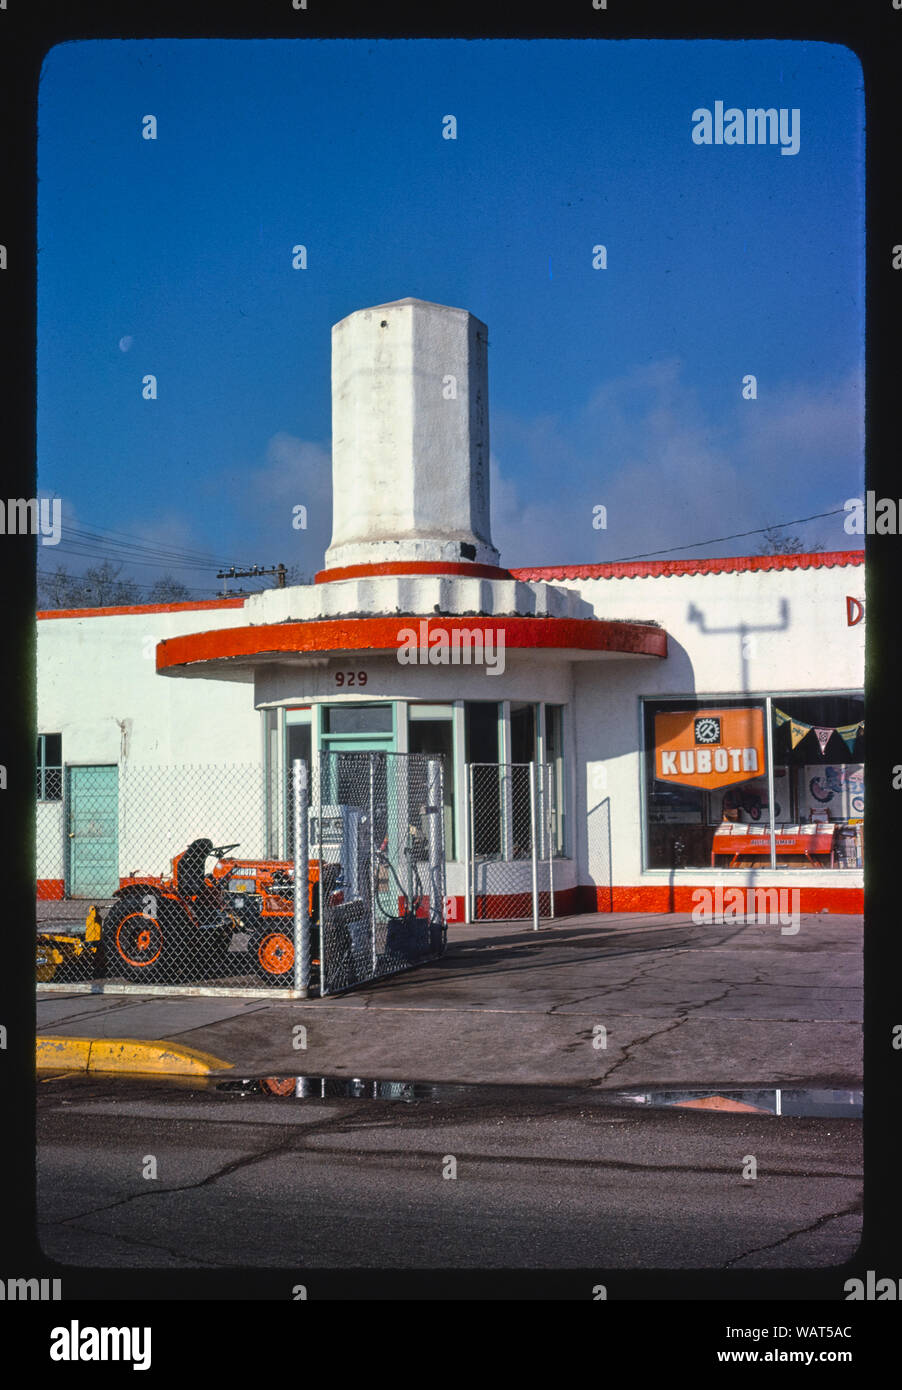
{"x":546,"y":1179}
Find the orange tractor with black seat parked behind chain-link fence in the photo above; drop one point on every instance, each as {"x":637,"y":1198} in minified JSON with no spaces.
{"x":240,"y":914}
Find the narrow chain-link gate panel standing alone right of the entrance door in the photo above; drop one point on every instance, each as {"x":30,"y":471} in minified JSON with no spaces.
{"x":511,"y":842}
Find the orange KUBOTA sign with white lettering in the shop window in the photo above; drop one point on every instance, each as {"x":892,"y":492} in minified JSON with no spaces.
{"x":710,"y":749}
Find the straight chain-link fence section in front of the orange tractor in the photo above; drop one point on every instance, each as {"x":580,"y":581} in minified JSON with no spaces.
{"x":173,"y":860}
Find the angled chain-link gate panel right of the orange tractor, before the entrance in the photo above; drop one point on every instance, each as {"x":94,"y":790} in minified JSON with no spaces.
{"x":380,"y":839}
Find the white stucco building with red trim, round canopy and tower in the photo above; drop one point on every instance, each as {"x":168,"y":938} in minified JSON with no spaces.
{"x":684,"y":708}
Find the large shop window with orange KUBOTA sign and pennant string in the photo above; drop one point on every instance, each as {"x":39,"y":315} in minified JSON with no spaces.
{"x":710,"y":786}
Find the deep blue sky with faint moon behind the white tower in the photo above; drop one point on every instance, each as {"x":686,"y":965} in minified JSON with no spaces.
{"x":618,"y":387}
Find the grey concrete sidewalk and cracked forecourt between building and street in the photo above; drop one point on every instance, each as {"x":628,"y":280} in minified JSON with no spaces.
{"x":673,"y":1004}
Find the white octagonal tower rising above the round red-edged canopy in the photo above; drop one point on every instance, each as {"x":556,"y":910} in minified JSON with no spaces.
{"x":411,"y":440}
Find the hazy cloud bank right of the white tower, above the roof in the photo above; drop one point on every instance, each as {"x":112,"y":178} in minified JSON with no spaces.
{"x":646,"y":448}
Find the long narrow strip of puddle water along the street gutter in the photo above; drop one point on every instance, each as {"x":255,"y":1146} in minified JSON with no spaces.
{"x":793,"y":1103}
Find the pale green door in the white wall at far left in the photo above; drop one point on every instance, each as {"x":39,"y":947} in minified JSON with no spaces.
{"x":94,"y":842}
